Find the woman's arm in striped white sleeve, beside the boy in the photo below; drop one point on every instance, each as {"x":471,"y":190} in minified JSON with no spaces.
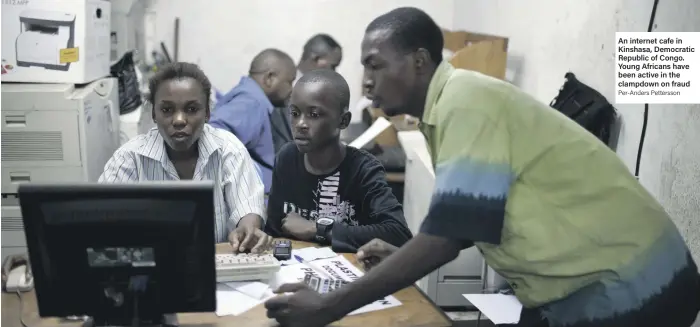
{"x":243,"y":190}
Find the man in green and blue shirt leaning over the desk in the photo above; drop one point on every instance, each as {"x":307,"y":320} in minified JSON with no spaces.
{"x":552,"y":209}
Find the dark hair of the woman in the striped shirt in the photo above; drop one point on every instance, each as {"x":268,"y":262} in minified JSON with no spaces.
{"x":179,"y":70}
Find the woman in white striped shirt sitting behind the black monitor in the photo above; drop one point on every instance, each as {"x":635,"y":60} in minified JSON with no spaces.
{"x":183,"y":147}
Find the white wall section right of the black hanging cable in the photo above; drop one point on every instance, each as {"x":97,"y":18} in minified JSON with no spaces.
{"x":670,"y":166}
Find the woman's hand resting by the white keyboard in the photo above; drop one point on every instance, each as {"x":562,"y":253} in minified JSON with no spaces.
{"x":248,"y":235}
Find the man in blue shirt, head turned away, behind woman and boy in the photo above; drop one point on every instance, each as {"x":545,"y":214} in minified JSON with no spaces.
{"x":245,"y":110}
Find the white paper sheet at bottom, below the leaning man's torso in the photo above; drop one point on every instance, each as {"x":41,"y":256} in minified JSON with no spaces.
{"x":499,"y":308}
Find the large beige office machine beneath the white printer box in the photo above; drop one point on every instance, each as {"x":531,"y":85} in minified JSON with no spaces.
{"x":53,"y":133}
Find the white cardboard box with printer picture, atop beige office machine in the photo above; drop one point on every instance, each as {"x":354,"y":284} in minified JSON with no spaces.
{"x":55,"y":41}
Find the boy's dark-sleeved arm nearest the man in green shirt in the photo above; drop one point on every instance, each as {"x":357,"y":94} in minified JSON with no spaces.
{"x":385,"y":218}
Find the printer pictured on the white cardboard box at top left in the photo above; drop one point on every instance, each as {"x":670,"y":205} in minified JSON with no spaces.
{"x":42,"y":35}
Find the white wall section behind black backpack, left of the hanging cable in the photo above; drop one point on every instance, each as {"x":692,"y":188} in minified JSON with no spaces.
{"x":547,"y":38}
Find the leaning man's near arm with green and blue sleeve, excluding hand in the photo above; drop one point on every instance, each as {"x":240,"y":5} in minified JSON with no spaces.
{"x":473,"y":177}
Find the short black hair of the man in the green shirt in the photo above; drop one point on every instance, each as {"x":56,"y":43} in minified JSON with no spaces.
{"x":411,"y":29}
